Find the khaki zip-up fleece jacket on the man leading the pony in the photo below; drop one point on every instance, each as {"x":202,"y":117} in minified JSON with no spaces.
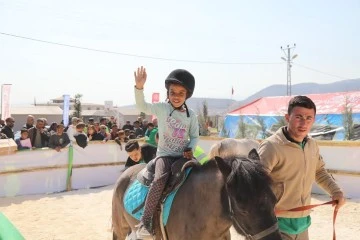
{"x":293,"y":171}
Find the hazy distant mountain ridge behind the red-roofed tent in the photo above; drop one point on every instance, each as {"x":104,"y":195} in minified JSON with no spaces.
{"x":301,"y":89}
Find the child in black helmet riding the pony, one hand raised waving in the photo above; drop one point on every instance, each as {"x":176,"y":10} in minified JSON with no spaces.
{"x":178,"y":129}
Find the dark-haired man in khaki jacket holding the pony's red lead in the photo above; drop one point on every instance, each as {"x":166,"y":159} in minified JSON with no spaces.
{"x":294,"y":163}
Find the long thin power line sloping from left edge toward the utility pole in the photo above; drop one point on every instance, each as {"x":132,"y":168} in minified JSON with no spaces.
{"x":135,"y":55}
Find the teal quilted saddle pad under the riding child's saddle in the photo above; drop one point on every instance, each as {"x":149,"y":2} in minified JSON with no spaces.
{"x":136,"y":194}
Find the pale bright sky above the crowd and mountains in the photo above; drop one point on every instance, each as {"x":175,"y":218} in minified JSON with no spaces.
{"x":224,"y":44}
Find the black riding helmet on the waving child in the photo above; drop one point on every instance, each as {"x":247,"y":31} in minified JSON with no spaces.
{"x":183,"y":78}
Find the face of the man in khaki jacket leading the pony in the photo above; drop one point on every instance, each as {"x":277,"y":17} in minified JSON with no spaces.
{"x":300,"y":122}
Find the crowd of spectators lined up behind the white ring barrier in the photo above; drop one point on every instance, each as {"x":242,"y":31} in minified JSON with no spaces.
{"x":38,"y":134}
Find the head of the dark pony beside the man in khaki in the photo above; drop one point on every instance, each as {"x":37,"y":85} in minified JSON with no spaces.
{"x":249,"y":199}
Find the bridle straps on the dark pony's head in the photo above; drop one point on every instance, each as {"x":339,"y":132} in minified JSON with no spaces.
{"x":257,"y":236}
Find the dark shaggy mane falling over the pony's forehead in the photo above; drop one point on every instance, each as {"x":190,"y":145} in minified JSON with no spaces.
{"x":249,"y":180}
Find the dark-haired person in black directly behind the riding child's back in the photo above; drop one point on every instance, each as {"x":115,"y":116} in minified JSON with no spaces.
{"x":139,"y":154}
